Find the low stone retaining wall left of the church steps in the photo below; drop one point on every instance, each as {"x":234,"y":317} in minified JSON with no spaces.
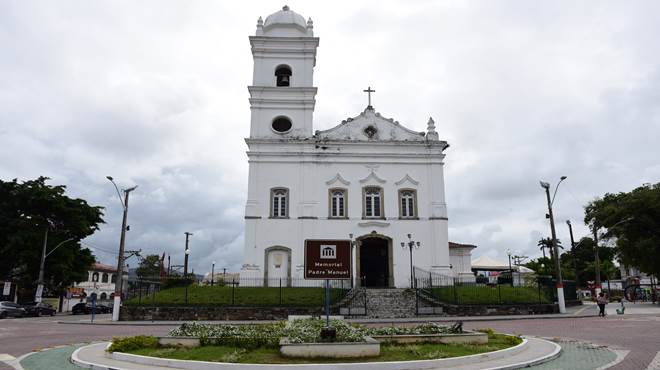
{"x":142,"y":313}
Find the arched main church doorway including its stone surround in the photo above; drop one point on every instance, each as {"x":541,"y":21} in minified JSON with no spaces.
{"x":374,"y":261}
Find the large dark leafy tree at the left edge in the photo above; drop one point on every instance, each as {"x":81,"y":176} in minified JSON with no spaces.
{"x":27,"y":210}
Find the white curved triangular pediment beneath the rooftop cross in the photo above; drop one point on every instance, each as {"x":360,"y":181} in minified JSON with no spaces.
{"x":370,"y":126}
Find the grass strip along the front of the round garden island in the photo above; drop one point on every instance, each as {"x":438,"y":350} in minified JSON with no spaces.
{"x":389,"y":352}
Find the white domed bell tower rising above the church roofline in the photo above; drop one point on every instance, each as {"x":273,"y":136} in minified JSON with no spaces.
{"x":282,"y":95}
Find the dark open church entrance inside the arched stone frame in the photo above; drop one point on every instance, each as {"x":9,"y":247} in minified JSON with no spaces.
{"x":374,"y":262}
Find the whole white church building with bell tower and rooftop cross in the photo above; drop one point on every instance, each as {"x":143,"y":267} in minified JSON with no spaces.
{"x":368,"y":177}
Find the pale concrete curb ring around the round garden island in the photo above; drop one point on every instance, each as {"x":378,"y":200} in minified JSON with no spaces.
{"x":418,"y":365}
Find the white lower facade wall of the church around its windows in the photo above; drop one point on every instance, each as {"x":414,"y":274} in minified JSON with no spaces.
{"x":309,"y":198}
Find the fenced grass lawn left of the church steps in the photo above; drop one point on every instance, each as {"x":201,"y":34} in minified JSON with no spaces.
{"x":242,"y":296}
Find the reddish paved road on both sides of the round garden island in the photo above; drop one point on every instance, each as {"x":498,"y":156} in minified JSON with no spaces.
{"x":637,"y":333}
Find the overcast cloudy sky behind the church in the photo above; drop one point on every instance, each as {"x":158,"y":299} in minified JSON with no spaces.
{"x":154,"y":94}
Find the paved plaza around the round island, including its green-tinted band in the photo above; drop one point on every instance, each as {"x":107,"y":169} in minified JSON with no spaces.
{"x":588,"y":341}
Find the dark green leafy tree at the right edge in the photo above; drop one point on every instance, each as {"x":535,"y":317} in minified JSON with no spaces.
{"x":633,"y":220}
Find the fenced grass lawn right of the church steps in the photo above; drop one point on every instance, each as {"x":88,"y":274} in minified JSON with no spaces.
{"x":500,"y":294}
